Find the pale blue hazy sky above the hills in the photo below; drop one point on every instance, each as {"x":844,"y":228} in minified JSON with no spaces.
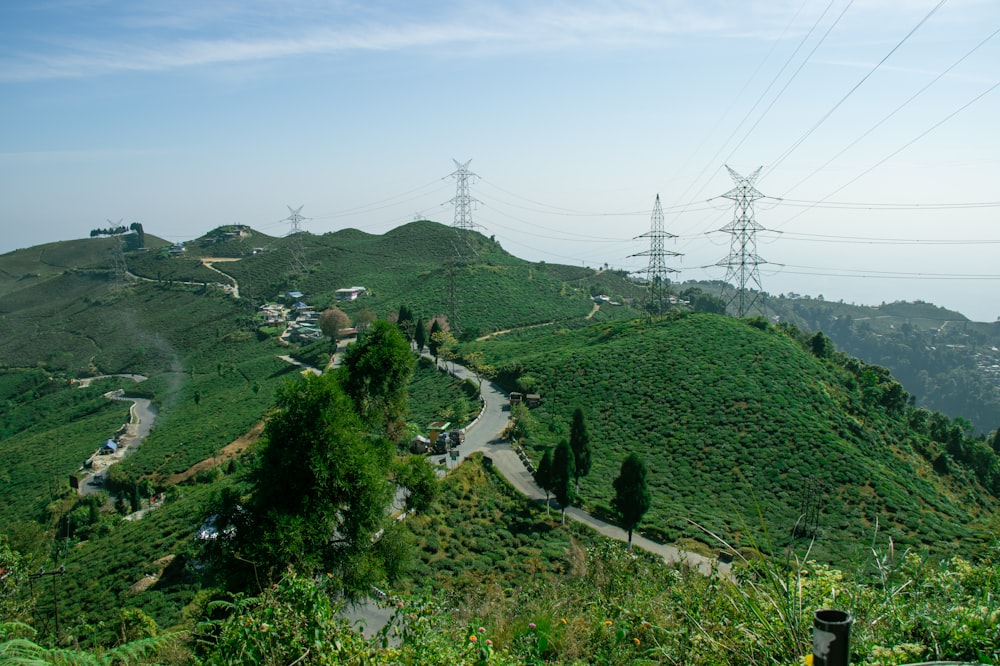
{"x":873,"y":123}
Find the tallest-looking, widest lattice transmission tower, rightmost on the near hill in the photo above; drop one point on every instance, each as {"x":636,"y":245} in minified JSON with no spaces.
{"x":743,"y":260}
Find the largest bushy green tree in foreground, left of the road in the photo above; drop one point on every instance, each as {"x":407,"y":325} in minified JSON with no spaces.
{"x":320,"y":493}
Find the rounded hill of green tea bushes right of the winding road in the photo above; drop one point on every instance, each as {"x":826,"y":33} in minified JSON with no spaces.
{"x":734,"y":420}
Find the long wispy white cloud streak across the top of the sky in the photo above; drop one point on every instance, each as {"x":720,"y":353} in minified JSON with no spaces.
{"x":148,"y":39}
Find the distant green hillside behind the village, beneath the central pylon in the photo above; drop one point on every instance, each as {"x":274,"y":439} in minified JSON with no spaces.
{"x":432,"y":268}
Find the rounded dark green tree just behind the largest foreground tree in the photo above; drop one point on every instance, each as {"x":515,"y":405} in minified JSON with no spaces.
{"x":375,"y":374}
